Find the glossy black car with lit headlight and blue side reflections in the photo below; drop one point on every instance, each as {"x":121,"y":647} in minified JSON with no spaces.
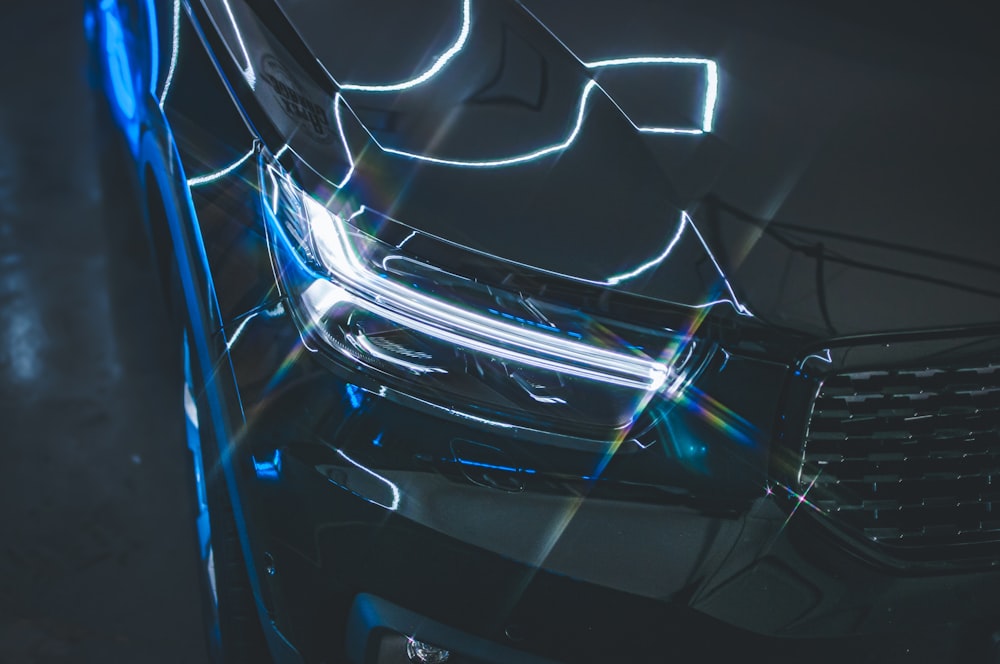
{"x":484,"y":363}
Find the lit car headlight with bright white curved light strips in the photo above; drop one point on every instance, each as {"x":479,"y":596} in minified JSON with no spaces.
{"x":366,"y":293}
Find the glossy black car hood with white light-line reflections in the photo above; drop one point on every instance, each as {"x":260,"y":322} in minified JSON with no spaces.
{"x":820,"y":199}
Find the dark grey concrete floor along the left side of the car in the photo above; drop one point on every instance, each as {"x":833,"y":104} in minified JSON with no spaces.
{"x":97,"y":545}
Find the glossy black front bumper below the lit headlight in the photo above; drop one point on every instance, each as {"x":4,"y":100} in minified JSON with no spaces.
{"x":353,"y":494}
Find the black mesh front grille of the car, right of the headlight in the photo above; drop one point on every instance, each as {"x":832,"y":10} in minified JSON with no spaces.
{"x":909,"y":460}
